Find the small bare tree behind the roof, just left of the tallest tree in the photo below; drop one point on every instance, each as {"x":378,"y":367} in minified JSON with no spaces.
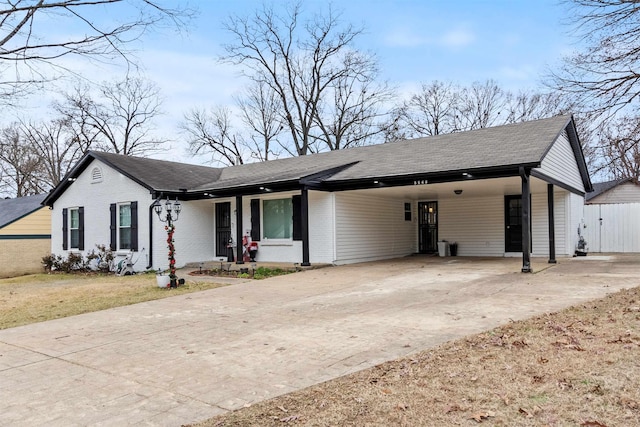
{"x":212,"y":133}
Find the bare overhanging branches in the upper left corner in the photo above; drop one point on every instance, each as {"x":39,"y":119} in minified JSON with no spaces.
{"x":102,"y":29}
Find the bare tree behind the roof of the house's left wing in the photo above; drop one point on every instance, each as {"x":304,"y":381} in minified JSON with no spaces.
{"x":121,"y":122}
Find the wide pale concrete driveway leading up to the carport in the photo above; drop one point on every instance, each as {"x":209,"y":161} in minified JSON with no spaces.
{"x":187,"y":358}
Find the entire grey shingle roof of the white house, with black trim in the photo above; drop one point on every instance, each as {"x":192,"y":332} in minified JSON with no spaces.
{"x":486,"y":152}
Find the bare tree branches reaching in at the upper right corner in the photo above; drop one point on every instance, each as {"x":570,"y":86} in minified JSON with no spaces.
{"x":602,"y":80}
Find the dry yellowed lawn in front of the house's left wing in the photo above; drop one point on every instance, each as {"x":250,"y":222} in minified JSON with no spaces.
{"x":40,"y":297}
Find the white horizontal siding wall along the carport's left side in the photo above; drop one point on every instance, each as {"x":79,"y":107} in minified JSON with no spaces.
{"x":370,"y":227}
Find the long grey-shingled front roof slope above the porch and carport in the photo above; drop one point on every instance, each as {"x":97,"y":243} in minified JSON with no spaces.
{"x":522,"y":143}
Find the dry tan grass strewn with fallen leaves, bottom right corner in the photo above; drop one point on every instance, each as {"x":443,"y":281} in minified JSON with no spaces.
{"x":577,"y":367}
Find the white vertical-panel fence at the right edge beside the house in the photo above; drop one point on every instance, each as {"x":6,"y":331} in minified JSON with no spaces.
{"x":612,"y":228}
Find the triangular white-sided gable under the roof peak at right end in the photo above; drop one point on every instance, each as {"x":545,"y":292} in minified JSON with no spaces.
{"x":560,"y":163}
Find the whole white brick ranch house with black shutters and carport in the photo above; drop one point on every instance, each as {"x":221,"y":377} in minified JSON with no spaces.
{"x":514,"y":190}
